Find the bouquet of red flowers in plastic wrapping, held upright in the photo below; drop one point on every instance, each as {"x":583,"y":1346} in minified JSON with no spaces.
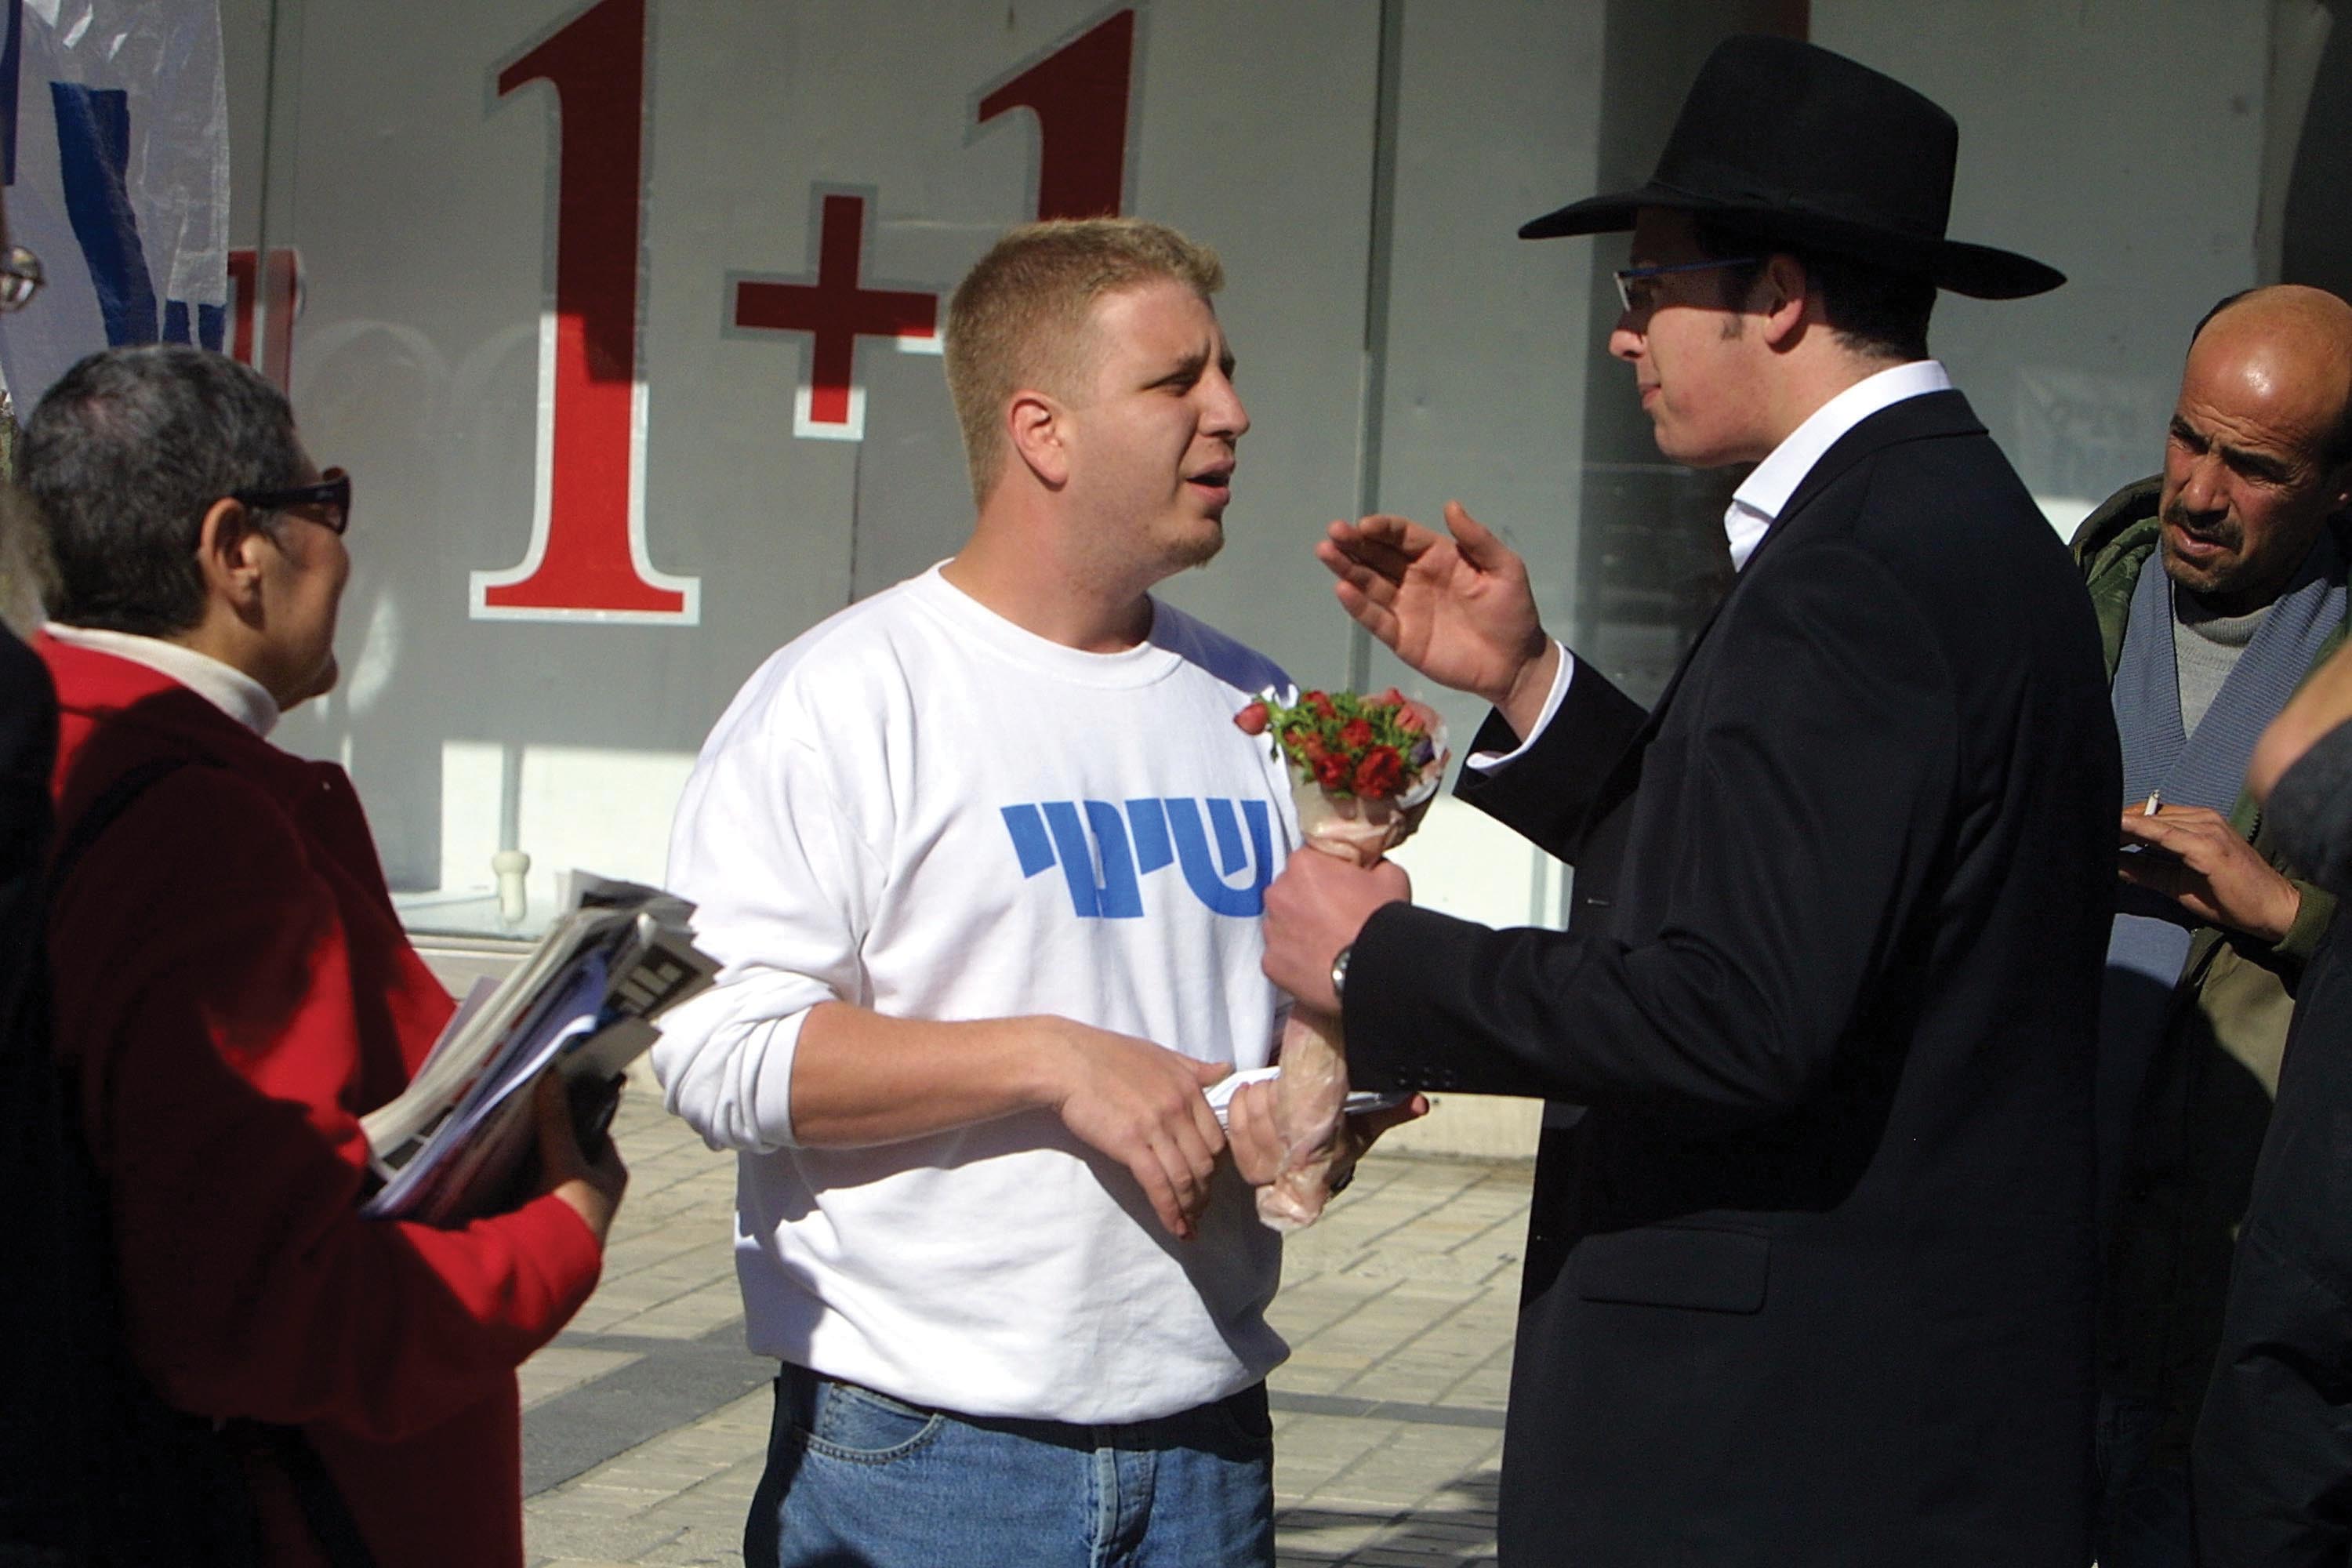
{"x":1363,"y":775}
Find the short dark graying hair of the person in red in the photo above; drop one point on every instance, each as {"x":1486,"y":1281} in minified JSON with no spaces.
{"x":126,"y":455}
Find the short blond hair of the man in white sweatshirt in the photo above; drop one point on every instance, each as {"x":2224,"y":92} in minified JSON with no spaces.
{"x":1020,"y":319}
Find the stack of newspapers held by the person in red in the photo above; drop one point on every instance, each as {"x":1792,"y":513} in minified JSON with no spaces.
{"x":450,"y":1148}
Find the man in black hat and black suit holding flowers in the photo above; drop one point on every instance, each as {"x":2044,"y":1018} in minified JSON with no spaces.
{"x":1812,"y":1252}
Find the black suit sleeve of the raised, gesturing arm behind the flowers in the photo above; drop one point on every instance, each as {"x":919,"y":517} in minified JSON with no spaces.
{"x":1546,"y":793}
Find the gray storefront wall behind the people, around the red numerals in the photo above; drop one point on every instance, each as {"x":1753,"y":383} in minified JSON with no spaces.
{"x":1363,"y":168}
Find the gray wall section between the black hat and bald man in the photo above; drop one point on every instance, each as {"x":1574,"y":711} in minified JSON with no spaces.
{"x":2125,"y":147}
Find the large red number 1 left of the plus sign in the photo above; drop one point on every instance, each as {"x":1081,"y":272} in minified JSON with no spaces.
{"x":589,"y":556}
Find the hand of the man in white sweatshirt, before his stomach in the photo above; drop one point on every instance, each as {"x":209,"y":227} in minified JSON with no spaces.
{"x":1142,"y":1106}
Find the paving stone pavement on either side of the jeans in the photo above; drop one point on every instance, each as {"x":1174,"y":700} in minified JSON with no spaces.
{"x":646,"y":1421}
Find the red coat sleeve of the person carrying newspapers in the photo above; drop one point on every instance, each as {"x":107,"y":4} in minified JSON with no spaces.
{"x":206,"y":989}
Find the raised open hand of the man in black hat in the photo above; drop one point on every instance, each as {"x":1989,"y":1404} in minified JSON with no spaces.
{"x":1455,"y":605}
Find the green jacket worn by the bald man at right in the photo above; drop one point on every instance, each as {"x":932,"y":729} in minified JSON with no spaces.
{"x":2210,"y":1087}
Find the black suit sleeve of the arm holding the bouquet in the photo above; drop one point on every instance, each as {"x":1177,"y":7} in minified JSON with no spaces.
{"x":1793,"y":808}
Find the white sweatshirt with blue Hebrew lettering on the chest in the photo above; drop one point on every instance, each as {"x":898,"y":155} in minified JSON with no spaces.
{"x":926,"y":810}
